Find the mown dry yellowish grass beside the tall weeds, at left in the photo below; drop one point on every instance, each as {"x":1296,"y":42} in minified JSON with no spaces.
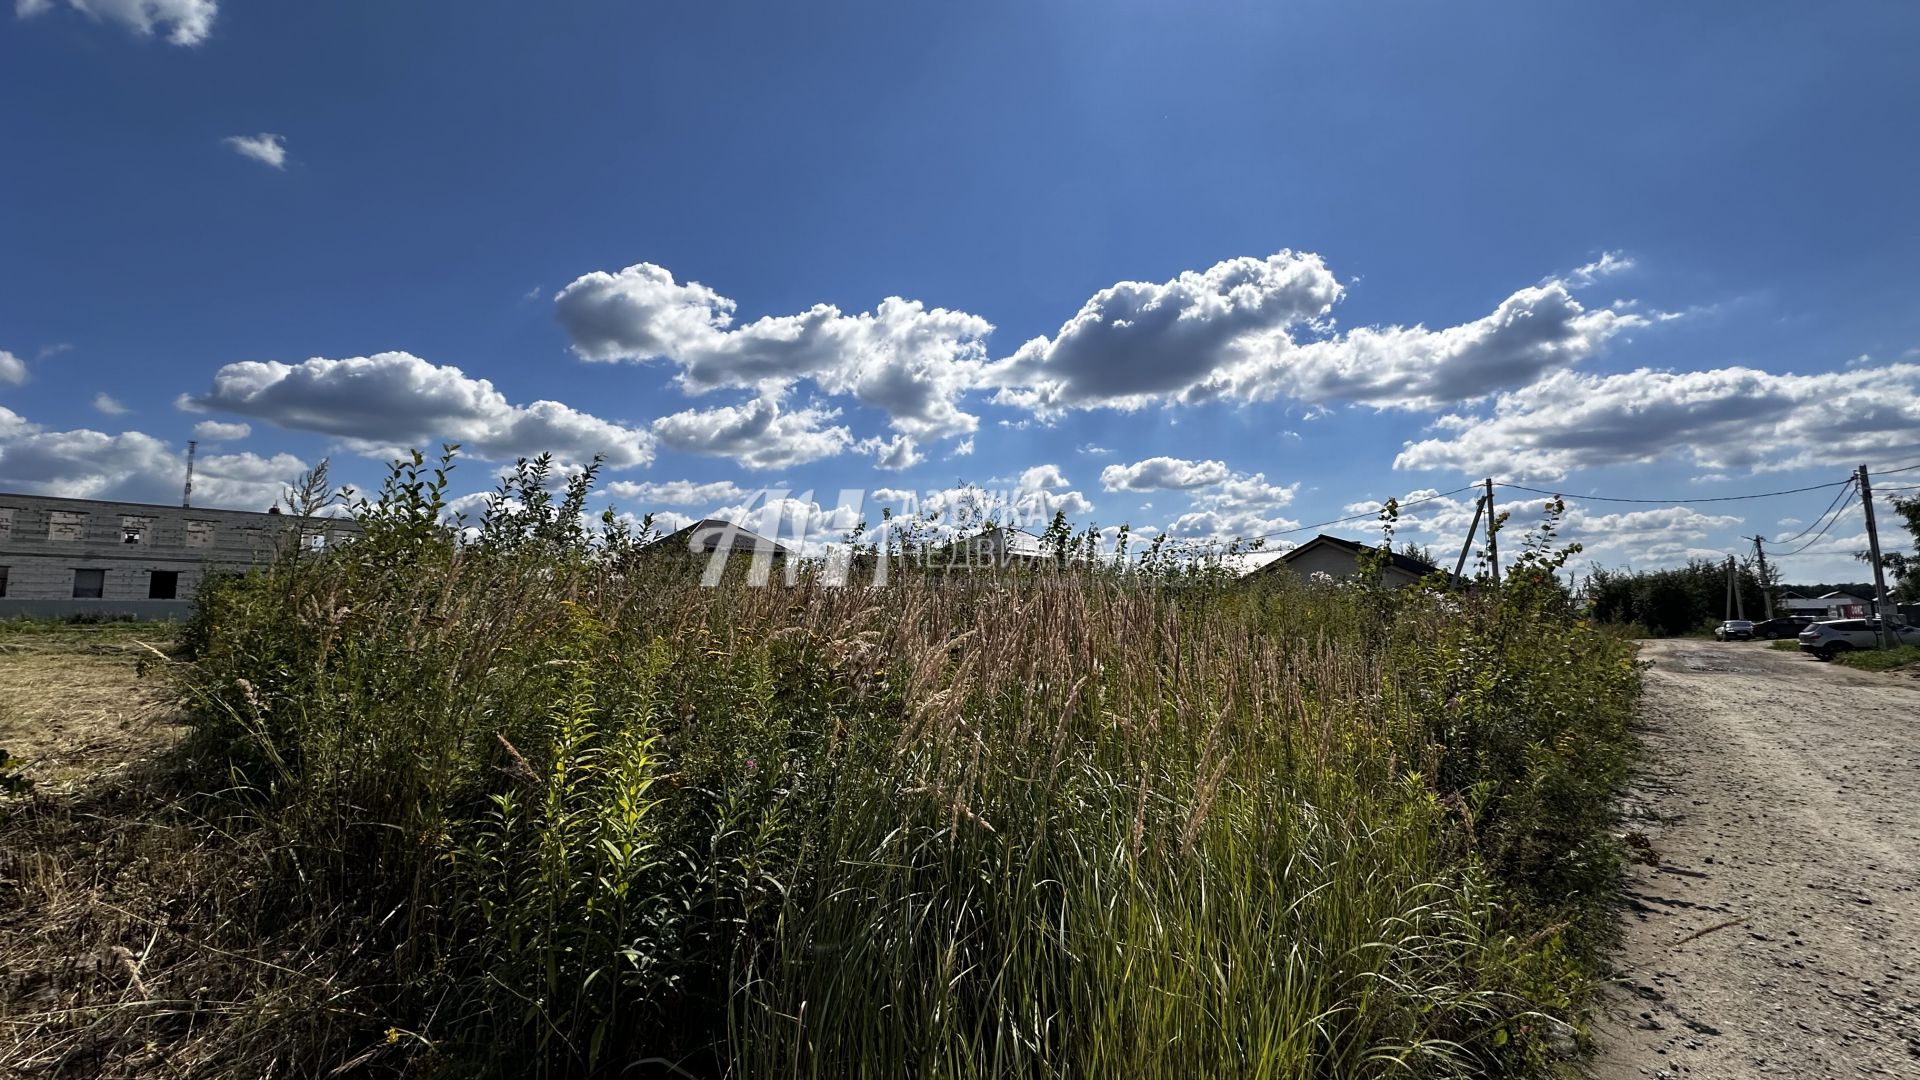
{"x":122,"y":946}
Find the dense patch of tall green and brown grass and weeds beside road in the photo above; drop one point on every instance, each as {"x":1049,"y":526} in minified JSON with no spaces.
{"x":1038,"y":825}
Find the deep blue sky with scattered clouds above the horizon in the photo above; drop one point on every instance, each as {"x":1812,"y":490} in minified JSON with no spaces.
{"x":1207,"y":268}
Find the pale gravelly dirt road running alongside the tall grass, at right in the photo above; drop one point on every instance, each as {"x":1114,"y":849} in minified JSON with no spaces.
{"x":1777,"y":931}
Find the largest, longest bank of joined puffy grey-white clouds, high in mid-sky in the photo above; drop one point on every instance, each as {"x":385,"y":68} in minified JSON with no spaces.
{"x":1245,"y":330}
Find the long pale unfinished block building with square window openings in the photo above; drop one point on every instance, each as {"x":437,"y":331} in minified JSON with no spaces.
{"x":62,"y":558}
